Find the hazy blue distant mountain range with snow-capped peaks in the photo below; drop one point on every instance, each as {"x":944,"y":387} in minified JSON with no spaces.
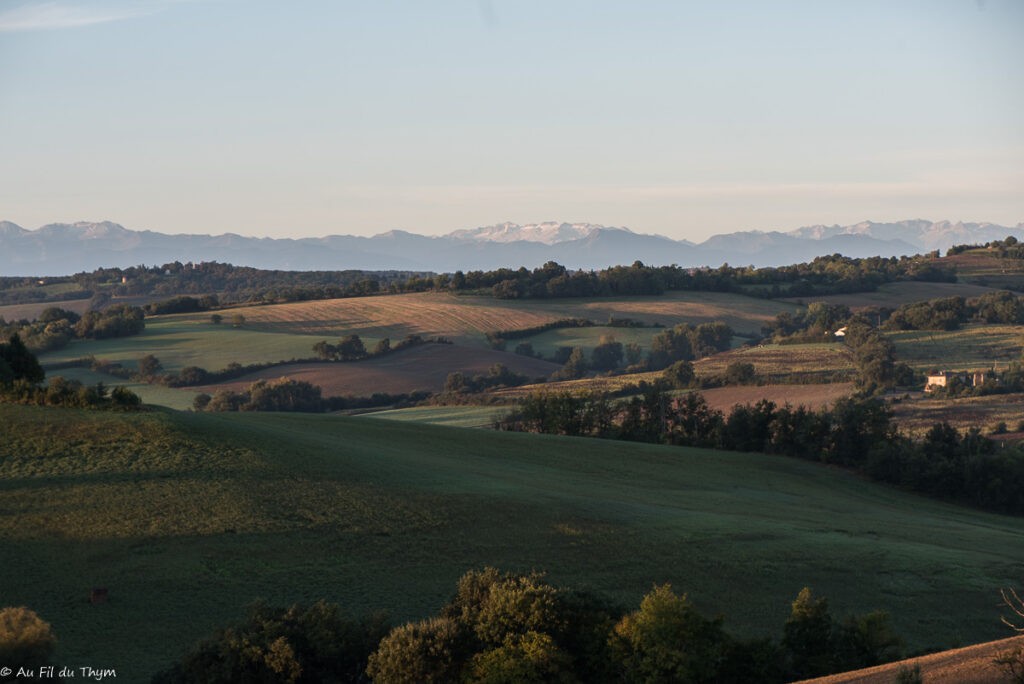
{"x":67,"y":248}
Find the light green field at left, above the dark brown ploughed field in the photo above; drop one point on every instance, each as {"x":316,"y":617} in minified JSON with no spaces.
{"x":192,"y":340}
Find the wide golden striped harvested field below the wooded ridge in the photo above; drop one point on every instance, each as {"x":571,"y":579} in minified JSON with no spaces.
{"x":468,"y":319}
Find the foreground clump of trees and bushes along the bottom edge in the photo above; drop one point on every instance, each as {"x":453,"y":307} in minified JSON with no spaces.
{"x":520,"y":628}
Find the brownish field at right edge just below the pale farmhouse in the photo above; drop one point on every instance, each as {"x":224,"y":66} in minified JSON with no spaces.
{"x":920,"y":413}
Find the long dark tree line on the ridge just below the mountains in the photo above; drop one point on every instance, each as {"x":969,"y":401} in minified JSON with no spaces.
{"x":824,"y":276}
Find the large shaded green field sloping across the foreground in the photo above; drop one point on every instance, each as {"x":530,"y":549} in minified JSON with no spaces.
{"x":187,"y":518}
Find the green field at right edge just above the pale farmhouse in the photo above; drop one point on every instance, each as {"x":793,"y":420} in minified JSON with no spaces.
{"x":971,"y":349}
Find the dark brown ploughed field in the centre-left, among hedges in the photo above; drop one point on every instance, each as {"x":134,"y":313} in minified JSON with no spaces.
{"x":422,"y":368}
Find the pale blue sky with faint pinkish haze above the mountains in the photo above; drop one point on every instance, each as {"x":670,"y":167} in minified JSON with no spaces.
{"x":686,"y":119}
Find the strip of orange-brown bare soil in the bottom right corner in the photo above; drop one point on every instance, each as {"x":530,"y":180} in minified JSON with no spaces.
{"x":971,"y":665}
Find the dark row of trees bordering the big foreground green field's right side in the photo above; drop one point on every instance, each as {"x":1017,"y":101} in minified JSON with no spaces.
{"x":855,"y":434}
